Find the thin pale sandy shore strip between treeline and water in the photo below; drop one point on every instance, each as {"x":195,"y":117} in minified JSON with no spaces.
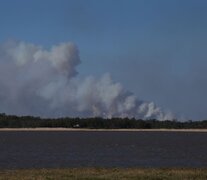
{"x":120,"y":130}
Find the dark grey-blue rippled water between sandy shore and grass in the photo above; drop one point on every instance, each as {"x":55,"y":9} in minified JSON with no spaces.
{"x":102,"y":149}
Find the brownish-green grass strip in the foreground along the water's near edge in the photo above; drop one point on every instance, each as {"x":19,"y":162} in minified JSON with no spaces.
{"x":104,"y":173}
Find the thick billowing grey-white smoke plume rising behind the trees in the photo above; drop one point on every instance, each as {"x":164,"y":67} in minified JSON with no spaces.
{"x":43,"y":82}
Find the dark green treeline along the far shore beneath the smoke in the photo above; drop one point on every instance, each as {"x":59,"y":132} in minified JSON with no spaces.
{"x":11,"y":121}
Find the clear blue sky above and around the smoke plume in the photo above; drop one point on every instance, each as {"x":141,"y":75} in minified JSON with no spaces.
{"x":155,"y":49}
